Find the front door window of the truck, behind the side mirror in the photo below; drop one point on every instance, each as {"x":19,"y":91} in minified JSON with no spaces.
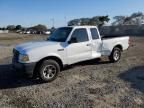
{"x":80,"y":35}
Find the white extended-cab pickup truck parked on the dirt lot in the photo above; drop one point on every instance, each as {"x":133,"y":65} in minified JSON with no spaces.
{"x":66,"y":46}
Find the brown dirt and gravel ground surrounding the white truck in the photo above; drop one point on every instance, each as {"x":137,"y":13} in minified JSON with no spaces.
{"x":90,"y":84}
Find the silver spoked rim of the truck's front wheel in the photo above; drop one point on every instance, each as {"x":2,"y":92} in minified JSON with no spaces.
{"x":49,"y":71}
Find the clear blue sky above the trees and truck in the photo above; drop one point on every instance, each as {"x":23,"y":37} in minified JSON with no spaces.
{"x":32,"y":12}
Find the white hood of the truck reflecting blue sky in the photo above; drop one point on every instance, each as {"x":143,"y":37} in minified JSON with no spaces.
{"x":24,"y":48}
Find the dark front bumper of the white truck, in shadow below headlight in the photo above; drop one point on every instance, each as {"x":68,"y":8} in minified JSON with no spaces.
{"x":27,"y":68}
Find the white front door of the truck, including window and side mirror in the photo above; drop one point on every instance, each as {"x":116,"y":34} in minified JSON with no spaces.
{"x":79,"y":48}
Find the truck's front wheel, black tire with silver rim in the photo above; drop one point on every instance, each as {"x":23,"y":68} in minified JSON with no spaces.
{"x":49,"y":70}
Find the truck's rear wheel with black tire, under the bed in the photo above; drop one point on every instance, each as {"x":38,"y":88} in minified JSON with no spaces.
{"x":115,"y":55}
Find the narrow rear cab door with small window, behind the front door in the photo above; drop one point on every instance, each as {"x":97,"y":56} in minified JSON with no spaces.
{"x":96,"y":43}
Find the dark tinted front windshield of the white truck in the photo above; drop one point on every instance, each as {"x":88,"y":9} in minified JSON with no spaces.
{"x":61,"y":34}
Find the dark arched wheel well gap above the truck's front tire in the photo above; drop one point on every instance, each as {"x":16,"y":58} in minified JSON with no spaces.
{"x":48,"y":58}
